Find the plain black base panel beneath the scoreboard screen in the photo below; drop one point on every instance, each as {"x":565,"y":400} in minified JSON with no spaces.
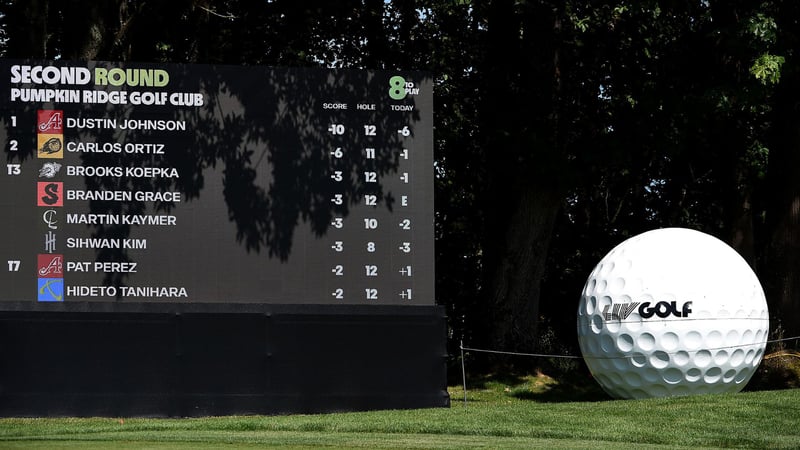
{"x":203,"y":360}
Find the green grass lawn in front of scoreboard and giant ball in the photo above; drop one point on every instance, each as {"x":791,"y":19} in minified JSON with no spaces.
{"x":522,"y":412}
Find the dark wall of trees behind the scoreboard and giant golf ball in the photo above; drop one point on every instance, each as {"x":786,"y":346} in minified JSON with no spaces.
{"x":636,"y":115}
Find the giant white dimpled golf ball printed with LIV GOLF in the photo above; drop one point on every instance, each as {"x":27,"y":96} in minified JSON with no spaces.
{"x":672,"y":312}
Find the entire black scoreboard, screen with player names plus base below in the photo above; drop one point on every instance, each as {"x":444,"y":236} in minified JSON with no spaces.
{"x":189,"y":240}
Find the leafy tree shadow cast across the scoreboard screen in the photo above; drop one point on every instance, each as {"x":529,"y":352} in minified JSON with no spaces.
{"x":262,"y":134}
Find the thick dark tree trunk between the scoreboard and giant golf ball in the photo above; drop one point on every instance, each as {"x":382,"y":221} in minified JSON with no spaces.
{"x":523,"y":193}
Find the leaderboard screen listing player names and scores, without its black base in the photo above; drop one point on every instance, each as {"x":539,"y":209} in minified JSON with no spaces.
{"x":143,"y":183}
